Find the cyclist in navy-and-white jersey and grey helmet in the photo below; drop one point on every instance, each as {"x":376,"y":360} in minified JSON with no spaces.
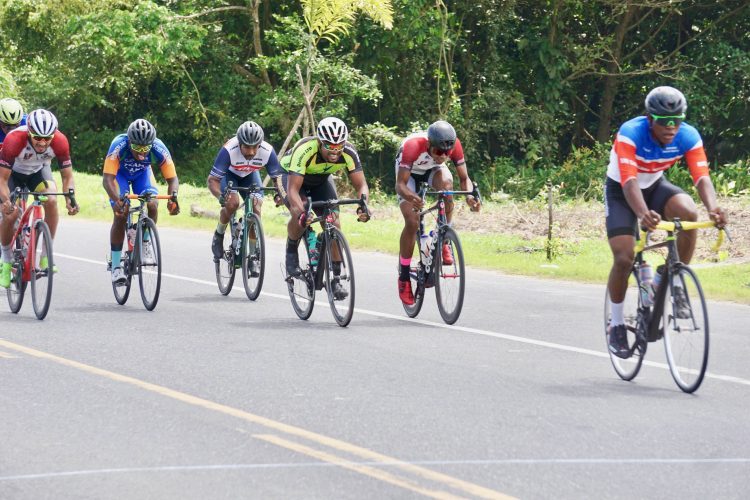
{"x":239,"y":161}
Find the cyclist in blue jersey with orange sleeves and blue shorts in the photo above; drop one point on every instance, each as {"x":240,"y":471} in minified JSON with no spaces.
{"x":128,"y":163}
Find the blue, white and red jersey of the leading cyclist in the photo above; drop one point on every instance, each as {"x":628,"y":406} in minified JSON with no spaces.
{"x":636,"y":154}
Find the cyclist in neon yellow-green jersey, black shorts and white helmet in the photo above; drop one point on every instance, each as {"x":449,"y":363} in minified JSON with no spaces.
{"x":307,"y":170}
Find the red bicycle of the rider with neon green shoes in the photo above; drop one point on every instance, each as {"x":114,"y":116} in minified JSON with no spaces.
{"x":33,"y":260}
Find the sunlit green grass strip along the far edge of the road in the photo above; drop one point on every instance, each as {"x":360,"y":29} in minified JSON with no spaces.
{"x":587,"y":259}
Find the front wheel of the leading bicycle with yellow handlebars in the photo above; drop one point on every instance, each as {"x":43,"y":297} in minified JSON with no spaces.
{"x":686,"y":330}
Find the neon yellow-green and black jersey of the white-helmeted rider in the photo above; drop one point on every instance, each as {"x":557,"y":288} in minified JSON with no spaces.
{"x":305,"y":159}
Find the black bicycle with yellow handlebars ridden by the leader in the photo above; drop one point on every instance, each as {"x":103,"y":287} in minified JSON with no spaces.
{"x":686,"y":339}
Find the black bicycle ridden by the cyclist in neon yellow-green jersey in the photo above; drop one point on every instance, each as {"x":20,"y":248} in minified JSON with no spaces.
{"x":334,"y":269}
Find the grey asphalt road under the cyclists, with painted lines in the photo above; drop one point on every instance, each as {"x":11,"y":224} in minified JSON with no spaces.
{"x":218,"y":397}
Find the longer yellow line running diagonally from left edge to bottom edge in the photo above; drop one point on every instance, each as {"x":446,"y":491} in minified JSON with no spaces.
{"x":455,"y":483}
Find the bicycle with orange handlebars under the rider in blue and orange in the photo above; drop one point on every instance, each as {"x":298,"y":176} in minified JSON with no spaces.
{"x":140,"y":230}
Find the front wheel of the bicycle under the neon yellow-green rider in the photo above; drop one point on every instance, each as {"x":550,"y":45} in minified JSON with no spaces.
{"x":339,"y":276}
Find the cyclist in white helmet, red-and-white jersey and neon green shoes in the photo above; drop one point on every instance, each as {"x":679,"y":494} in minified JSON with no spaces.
{"x":25,"y":160}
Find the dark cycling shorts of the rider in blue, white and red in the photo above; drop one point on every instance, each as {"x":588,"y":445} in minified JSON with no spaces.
{"x":621,"y":219}
